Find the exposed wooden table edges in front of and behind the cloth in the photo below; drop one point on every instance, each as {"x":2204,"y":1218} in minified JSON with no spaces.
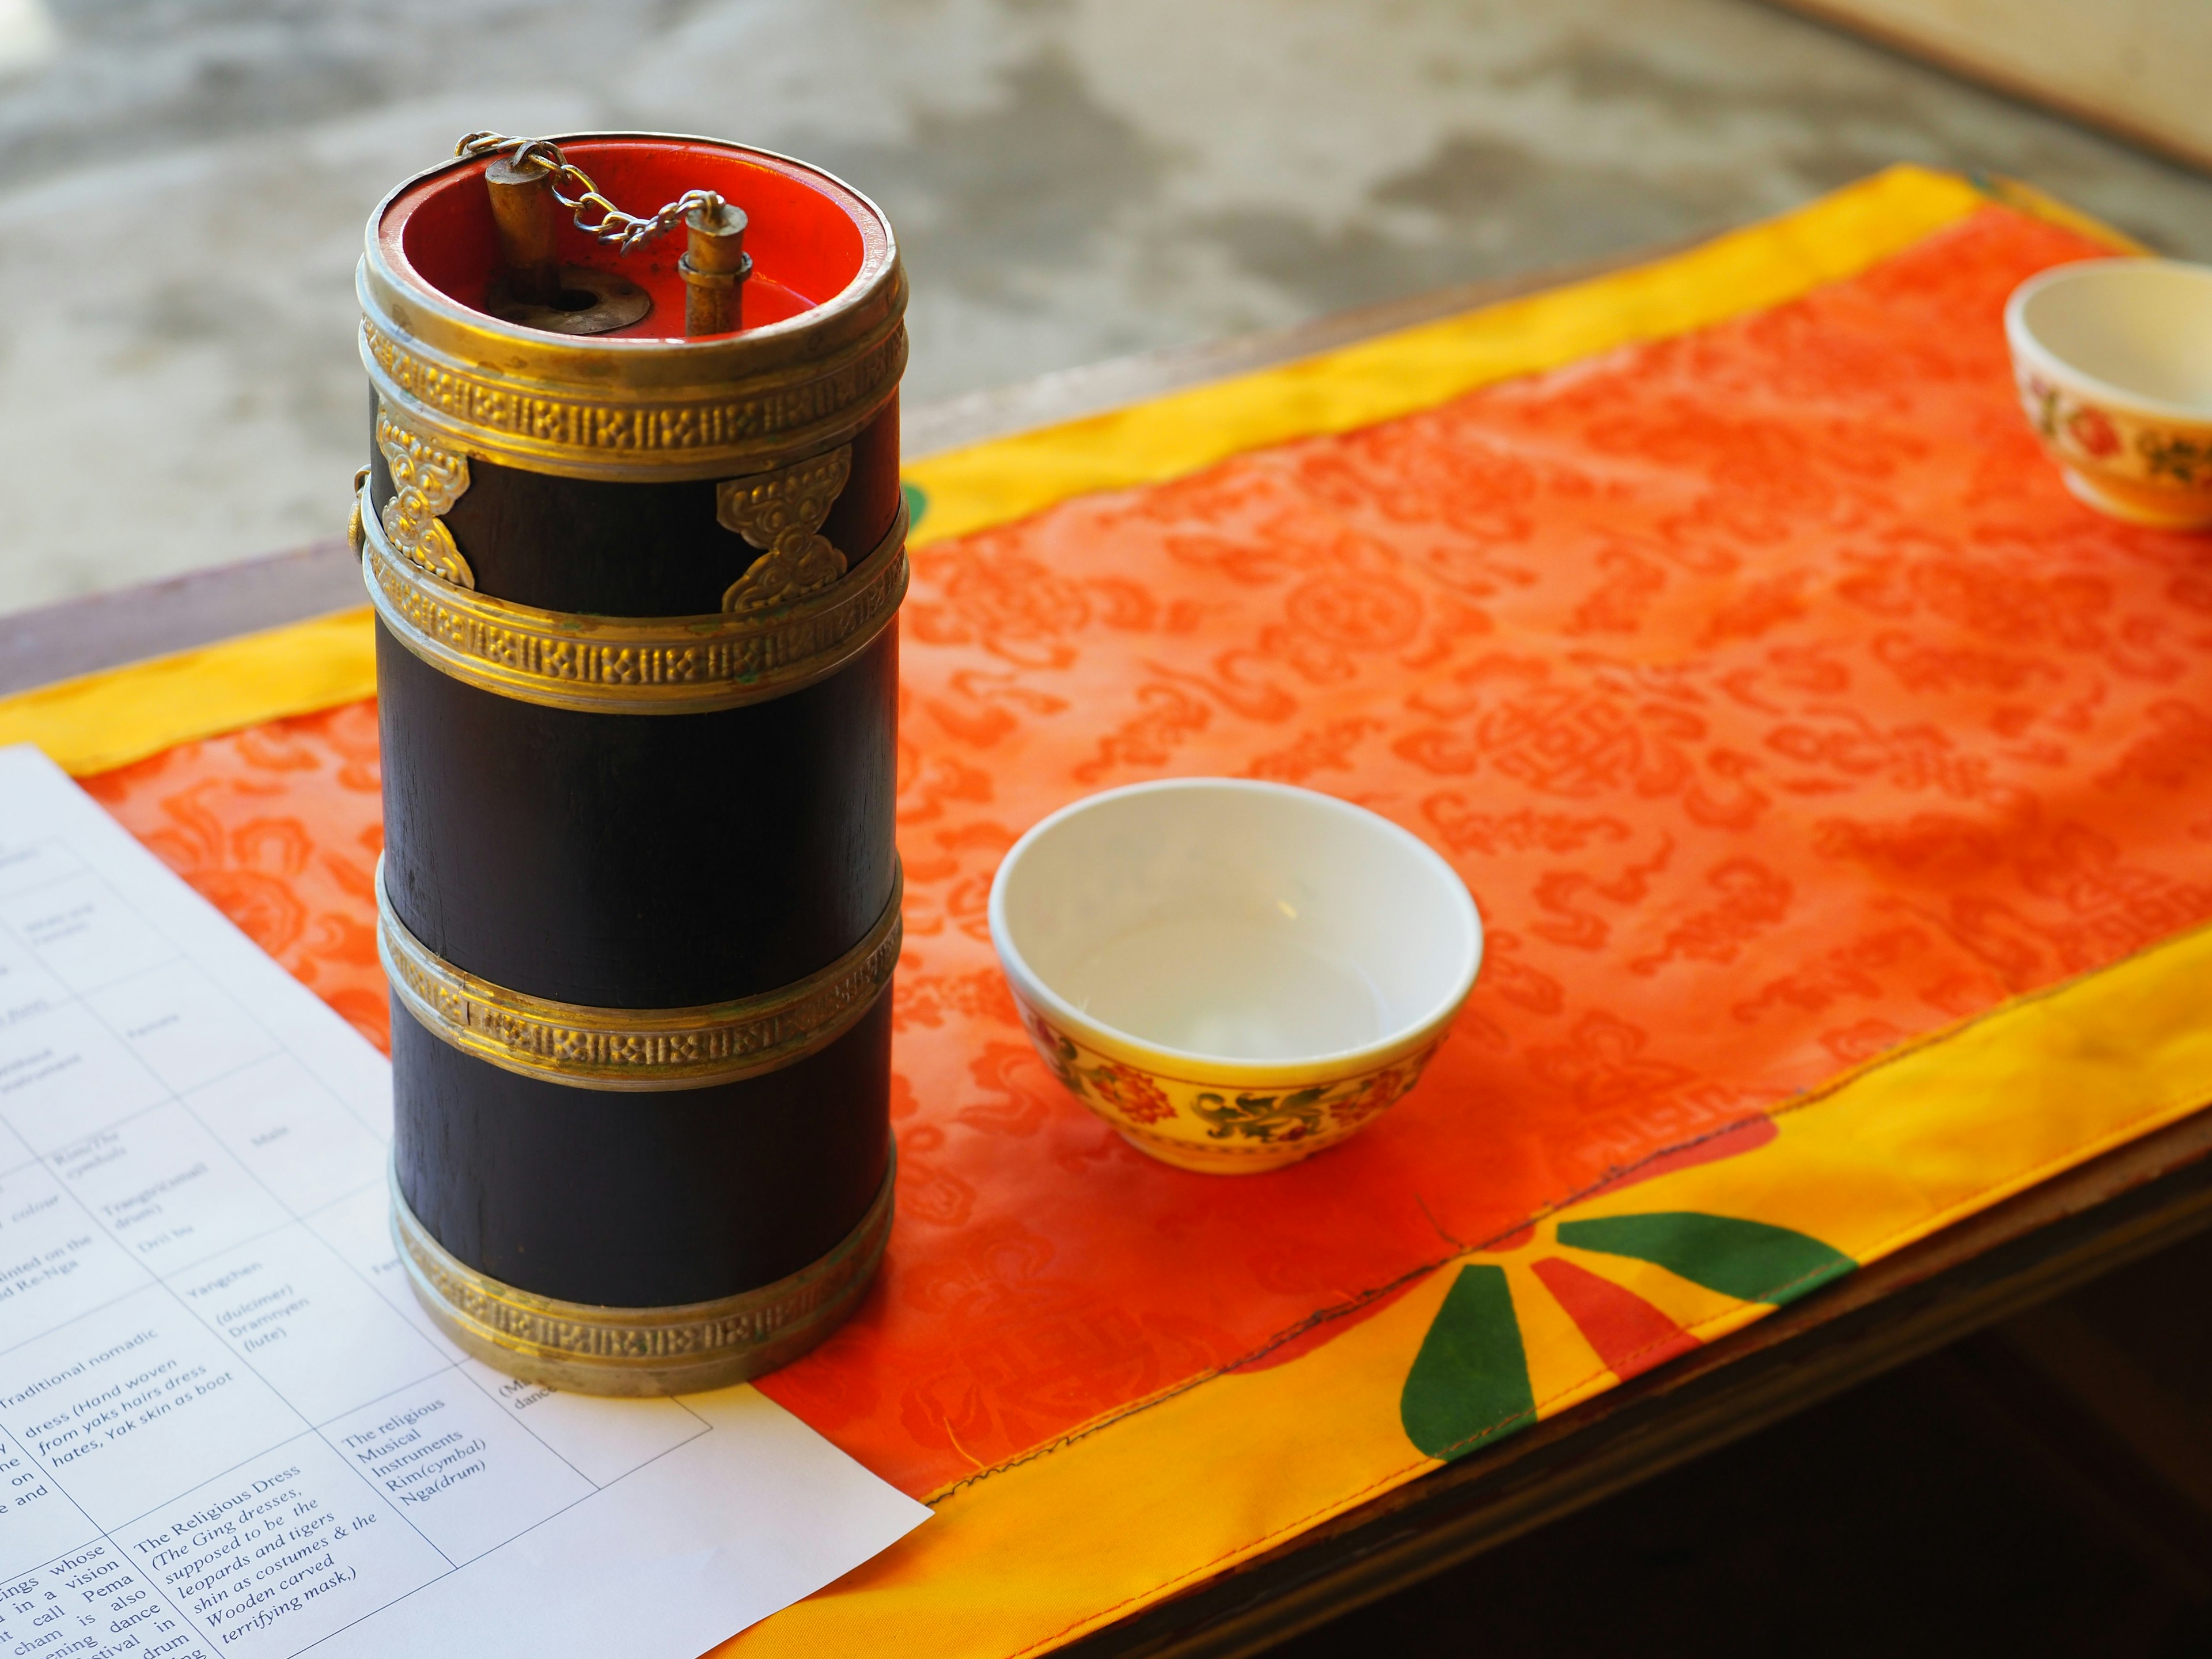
{"x":1979,"y":1273}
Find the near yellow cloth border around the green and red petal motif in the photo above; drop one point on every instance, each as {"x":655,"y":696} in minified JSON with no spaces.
{"x":1083,"y":1534}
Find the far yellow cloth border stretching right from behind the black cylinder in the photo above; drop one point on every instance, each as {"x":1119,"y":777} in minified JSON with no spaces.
{"x":1419,"y":368}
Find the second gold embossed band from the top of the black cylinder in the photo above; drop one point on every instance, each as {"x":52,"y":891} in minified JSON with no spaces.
{"x":632,"y":665}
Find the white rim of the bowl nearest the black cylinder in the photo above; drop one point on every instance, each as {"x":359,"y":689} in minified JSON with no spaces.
{"x":1335,"y":1063}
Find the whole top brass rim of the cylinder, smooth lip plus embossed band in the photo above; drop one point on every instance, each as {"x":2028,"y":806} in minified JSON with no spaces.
{"x":636,"y":410}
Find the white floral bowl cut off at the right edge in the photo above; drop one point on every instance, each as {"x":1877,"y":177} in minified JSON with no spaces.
{"x":2114,"y":362}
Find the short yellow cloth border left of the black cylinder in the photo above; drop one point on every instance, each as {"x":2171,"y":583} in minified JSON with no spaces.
{"x":125,"y":716}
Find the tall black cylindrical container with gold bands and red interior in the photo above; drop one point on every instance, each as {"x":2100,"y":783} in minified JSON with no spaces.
{"x":638,"y":674}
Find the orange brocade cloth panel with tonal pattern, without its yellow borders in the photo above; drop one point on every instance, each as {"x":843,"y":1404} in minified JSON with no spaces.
{"x":1766,"y":687}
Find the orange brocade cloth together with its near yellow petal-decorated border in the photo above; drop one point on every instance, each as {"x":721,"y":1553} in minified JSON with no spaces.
{"x":1813,"y":760}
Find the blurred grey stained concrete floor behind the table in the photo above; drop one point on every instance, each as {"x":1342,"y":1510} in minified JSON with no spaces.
{"x":185,"y":189}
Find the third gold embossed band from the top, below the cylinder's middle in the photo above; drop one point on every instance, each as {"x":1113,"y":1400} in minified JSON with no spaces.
{"x":636,"y":1050}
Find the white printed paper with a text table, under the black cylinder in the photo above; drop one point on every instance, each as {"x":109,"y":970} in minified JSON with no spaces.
{"x":227,"y":1428}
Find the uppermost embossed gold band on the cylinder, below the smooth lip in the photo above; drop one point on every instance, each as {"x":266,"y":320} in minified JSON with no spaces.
{"x":634,"y":435}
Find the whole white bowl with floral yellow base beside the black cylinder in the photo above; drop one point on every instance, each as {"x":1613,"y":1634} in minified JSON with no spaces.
{"x":1233,"y":974}
